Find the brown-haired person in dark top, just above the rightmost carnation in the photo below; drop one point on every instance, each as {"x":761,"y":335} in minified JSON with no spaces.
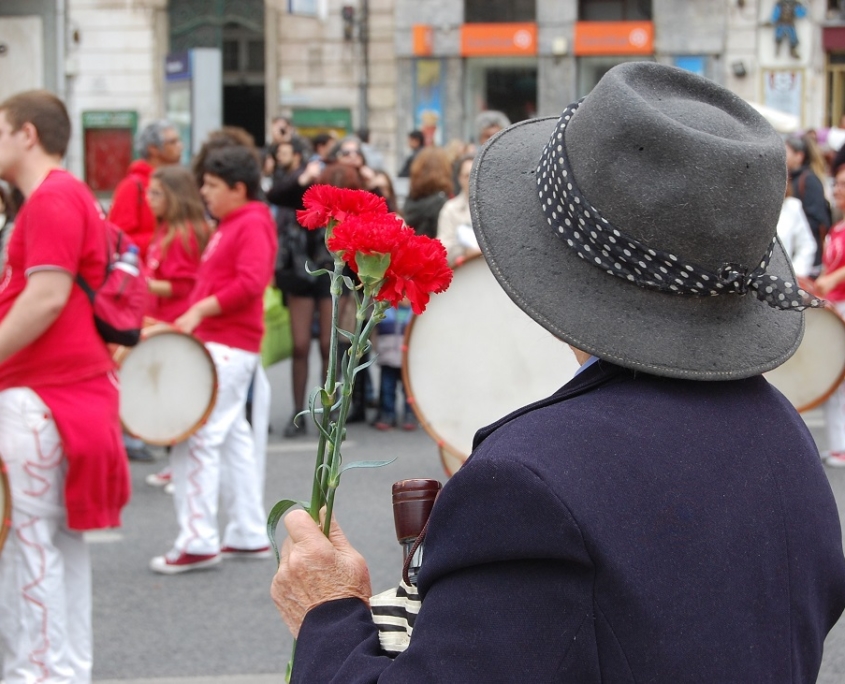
{"x":430,"y":187}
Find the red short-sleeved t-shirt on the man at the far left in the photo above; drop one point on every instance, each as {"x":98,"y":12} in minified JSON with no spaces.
{"x":58,"y":227}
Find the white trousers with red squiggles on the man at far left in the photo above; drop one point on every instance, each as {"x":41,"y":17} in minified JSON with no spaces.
{"x":45,"y":570}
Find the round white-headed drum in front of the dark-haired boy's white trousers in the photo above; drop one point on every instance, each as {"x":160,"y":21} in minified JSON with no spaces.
{"x":168,"y":386}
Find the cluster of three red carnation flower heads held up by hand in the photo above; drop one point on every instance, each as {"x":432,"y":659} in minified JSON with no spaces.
{"x":368,"y":237}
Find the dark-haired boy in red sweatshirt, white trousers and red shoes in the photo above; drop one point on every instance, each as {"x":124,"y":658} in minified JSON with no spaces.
{"x":227,"y":314}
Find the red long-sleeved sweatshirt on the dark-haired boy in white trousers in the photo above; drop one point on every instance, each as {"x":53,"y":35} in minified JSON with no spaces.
{"x":236,"y":267}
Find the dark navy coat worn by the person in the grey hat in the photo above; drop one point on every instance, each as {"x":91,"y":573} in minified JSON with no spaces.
{"x":629,"y":528}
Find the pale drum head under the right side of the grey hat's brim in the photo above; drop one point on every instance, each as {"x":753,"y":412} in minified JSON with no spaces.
{"x":811,"y":375}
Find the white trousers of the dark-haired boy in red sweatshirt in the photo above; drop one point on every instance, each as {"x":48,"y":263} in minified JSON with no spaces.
{"x":220,"y":462}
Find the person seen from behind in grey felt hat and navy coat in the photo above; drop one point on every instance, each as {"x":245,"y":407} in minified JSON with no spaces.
{"x":665,"y":516}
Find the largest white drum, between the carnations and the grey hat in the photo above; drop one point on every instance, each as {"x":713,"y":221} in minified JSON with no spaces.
{"x":473,"y":357}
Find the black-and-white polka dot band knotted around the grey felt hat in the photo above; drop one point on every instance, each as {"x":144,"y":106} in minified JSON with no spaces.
{"x":579,"y":224}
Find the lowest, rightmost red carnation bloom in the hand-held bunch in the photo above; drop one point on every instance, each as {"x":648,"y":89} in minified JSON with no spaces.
{"x":417,"y":268}
